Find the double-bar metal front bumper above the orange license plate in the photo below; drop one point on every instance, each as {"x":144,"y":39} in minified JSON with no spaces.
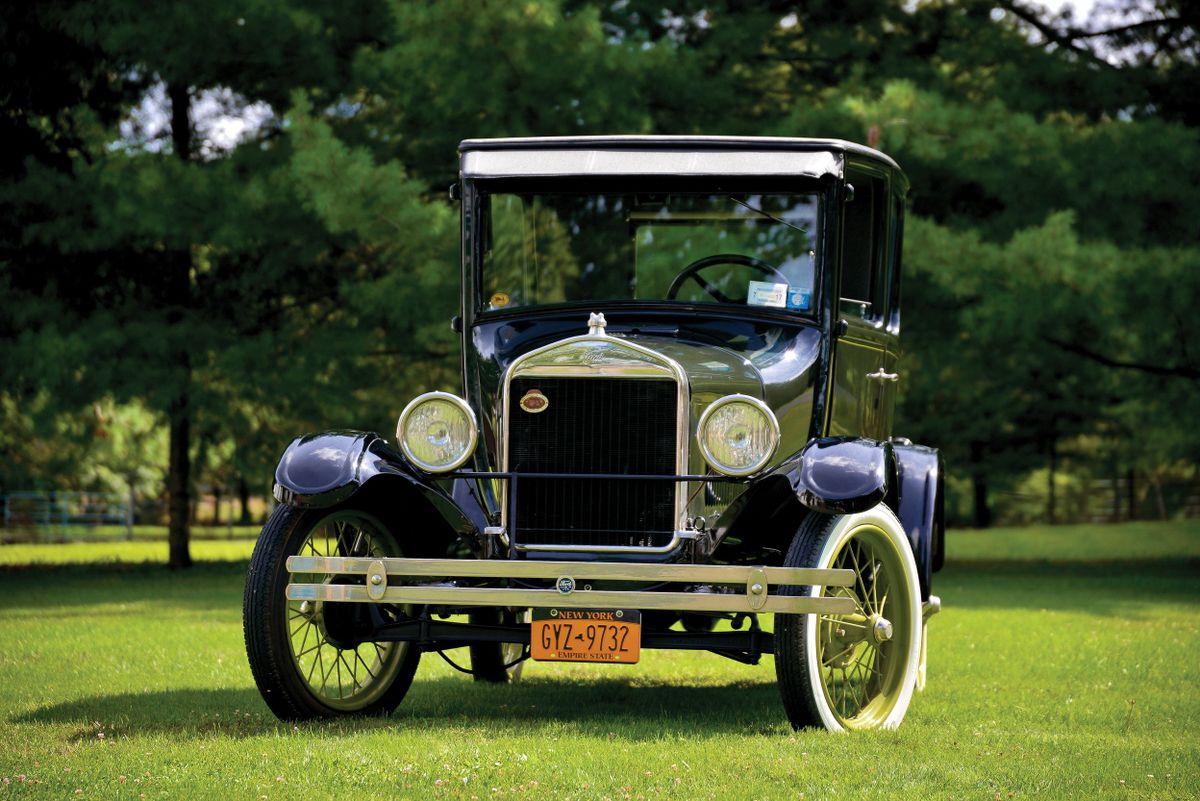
{"x":454,"y":583}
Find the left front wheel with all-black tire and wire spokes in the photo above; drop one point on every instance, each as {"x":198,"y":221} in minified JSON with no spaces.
{"x":273,"y":624}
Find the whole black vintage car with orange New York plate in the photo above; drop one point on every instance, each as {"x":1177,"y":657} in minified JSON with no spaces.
{"x":675,"y":432}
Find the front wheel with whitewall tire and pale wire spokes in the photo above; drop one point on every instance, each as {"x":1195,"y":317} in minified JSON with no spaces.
{"x":854,"y":671}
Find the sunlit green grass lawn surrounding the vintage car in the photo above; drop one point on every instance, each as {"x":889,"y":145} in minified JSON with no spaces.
{"x":1057,"y":672}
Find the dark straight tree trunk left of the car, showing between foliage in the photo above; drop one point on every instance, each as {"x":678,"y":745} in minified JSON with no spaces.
{"x":178,"y":299}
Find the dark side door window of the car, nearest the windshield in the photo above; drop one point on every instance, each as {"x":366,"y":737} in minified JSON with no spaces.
{"x":863,"y":245}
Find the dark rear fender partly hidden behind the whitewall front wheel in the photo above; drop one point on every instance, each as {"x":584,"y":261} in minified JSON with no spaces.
{"x":921,"y":508}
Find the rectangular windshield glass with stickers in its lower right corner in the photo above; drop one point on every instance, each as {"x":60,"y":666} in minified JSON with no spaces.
{"x":743,"y":249}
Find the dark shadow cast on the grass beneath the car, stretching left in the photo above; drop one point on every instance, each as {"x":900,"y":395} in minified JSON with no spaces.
{"x":592,"y":708}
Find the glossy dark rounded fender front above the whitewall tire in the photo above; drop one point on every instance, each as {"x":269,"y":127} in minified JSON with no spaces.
{"x":837,"y":475}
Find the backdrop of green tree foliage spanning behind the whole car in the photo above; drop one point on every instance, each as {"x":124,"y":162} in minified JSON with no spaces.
{"x":241,"y":290}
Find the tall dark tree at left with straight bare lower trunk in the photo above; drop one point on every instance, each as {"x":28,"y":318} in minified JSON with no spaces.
{"x":161,"y":251}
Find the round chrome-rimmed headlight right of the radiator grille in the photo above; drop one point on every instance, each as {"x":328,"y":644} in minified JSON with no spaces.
{"x":737,"y":435}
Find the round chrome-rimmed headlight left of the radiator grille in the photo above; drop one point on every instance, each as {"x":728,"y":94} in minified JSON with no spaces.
{"x":437,"y":432}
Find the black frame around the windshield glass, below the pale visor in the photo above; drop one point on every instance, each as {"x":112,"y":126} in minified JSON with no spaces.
{"x":476,"y":192}
